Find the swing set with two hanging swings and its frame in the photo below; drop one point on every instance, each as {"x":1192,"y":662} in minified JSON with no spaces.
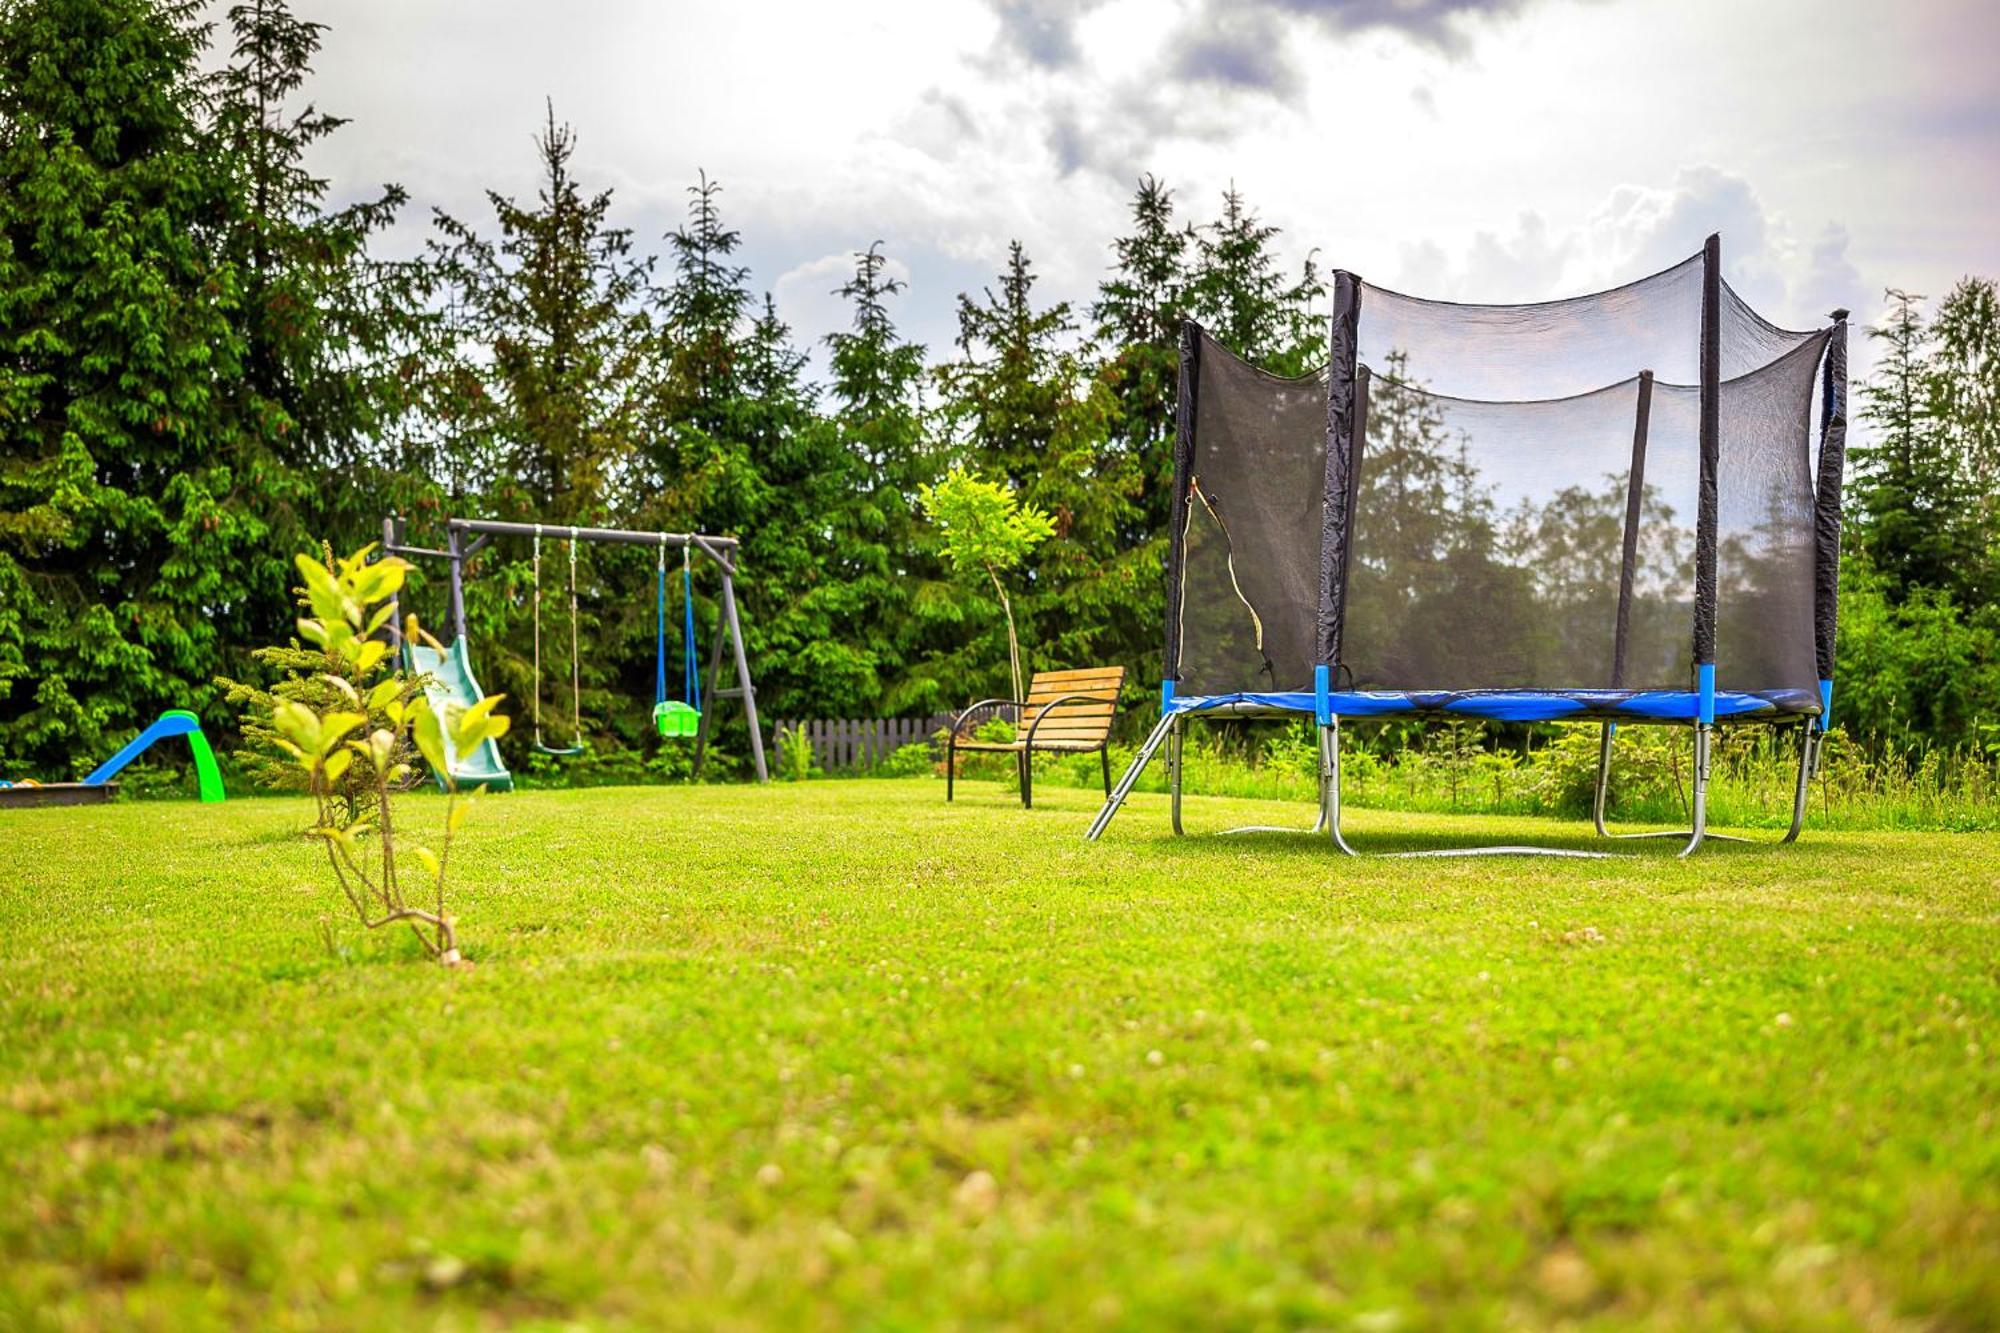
{"x":677,"y":720}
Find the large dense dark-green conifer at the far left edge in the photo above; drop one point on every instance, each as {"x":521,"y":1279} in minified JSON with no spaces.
{"x":131,"y":519}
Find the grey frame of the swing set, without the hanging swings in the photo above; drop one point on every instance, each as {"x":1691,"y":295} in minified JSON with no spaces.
{"x":467,"y":537}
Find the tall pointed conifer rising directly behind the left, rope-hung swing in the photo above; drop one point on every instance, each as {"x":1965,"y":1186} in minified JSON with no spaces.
{"x":547,"y":397}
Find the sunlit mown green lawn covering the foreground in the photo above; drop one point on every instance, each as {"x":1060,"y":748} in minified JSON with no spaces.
{"x":737,"y":1058}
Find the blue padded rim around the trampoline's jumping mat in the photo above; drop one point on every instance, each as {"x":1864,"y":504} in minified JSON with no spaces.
{"x":1517,"y":706}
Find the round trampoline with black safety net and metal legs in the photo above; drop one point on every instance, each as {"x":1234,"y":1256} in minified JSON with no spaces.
{"x":1615,"y":509}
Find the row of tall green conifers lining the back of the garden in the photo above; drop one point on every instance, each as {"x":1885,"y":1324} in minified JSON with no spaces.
{"x":207,"y":367}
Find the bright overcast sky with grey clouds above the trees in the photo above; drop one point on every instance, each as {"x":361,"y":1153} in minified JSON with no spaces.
{"x":1467,"y":149}
